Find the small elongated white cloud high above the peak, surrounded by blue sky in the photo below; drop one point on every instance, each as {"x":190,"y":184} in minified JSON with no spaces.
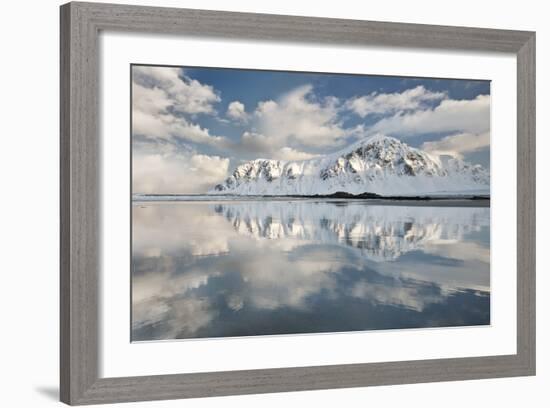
{"x":385,"y":103}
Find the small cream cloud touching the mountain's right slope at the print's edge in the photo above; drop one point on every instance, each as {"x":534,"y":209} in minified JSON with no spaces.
{"x":458,"y":144}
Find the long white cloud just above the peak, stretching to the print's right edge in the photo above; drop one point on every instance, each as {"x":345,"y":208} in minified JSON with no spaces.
{"x":465,"y":116}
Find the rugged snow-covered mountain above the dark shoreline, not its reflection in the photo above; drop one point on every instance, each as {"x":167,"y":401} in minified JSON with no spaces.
{"x":380,"y":164}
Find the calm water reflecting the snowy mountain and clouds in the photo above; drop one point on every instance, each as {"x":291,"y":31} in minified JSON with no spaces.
{"x":230,"y":268}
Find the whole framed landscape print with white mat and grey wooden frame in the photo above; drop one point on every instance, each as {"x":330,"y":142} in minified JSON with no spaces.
{"x":261,"y":203}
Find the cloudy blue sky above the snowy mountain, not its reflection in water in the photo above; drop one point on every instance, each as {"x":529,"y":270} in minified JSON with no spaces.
{"x":191,"y":126}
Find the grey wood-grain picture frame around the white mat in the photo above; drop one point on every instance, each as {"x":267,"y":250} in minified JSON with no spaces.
{"x":81,"y":24}
